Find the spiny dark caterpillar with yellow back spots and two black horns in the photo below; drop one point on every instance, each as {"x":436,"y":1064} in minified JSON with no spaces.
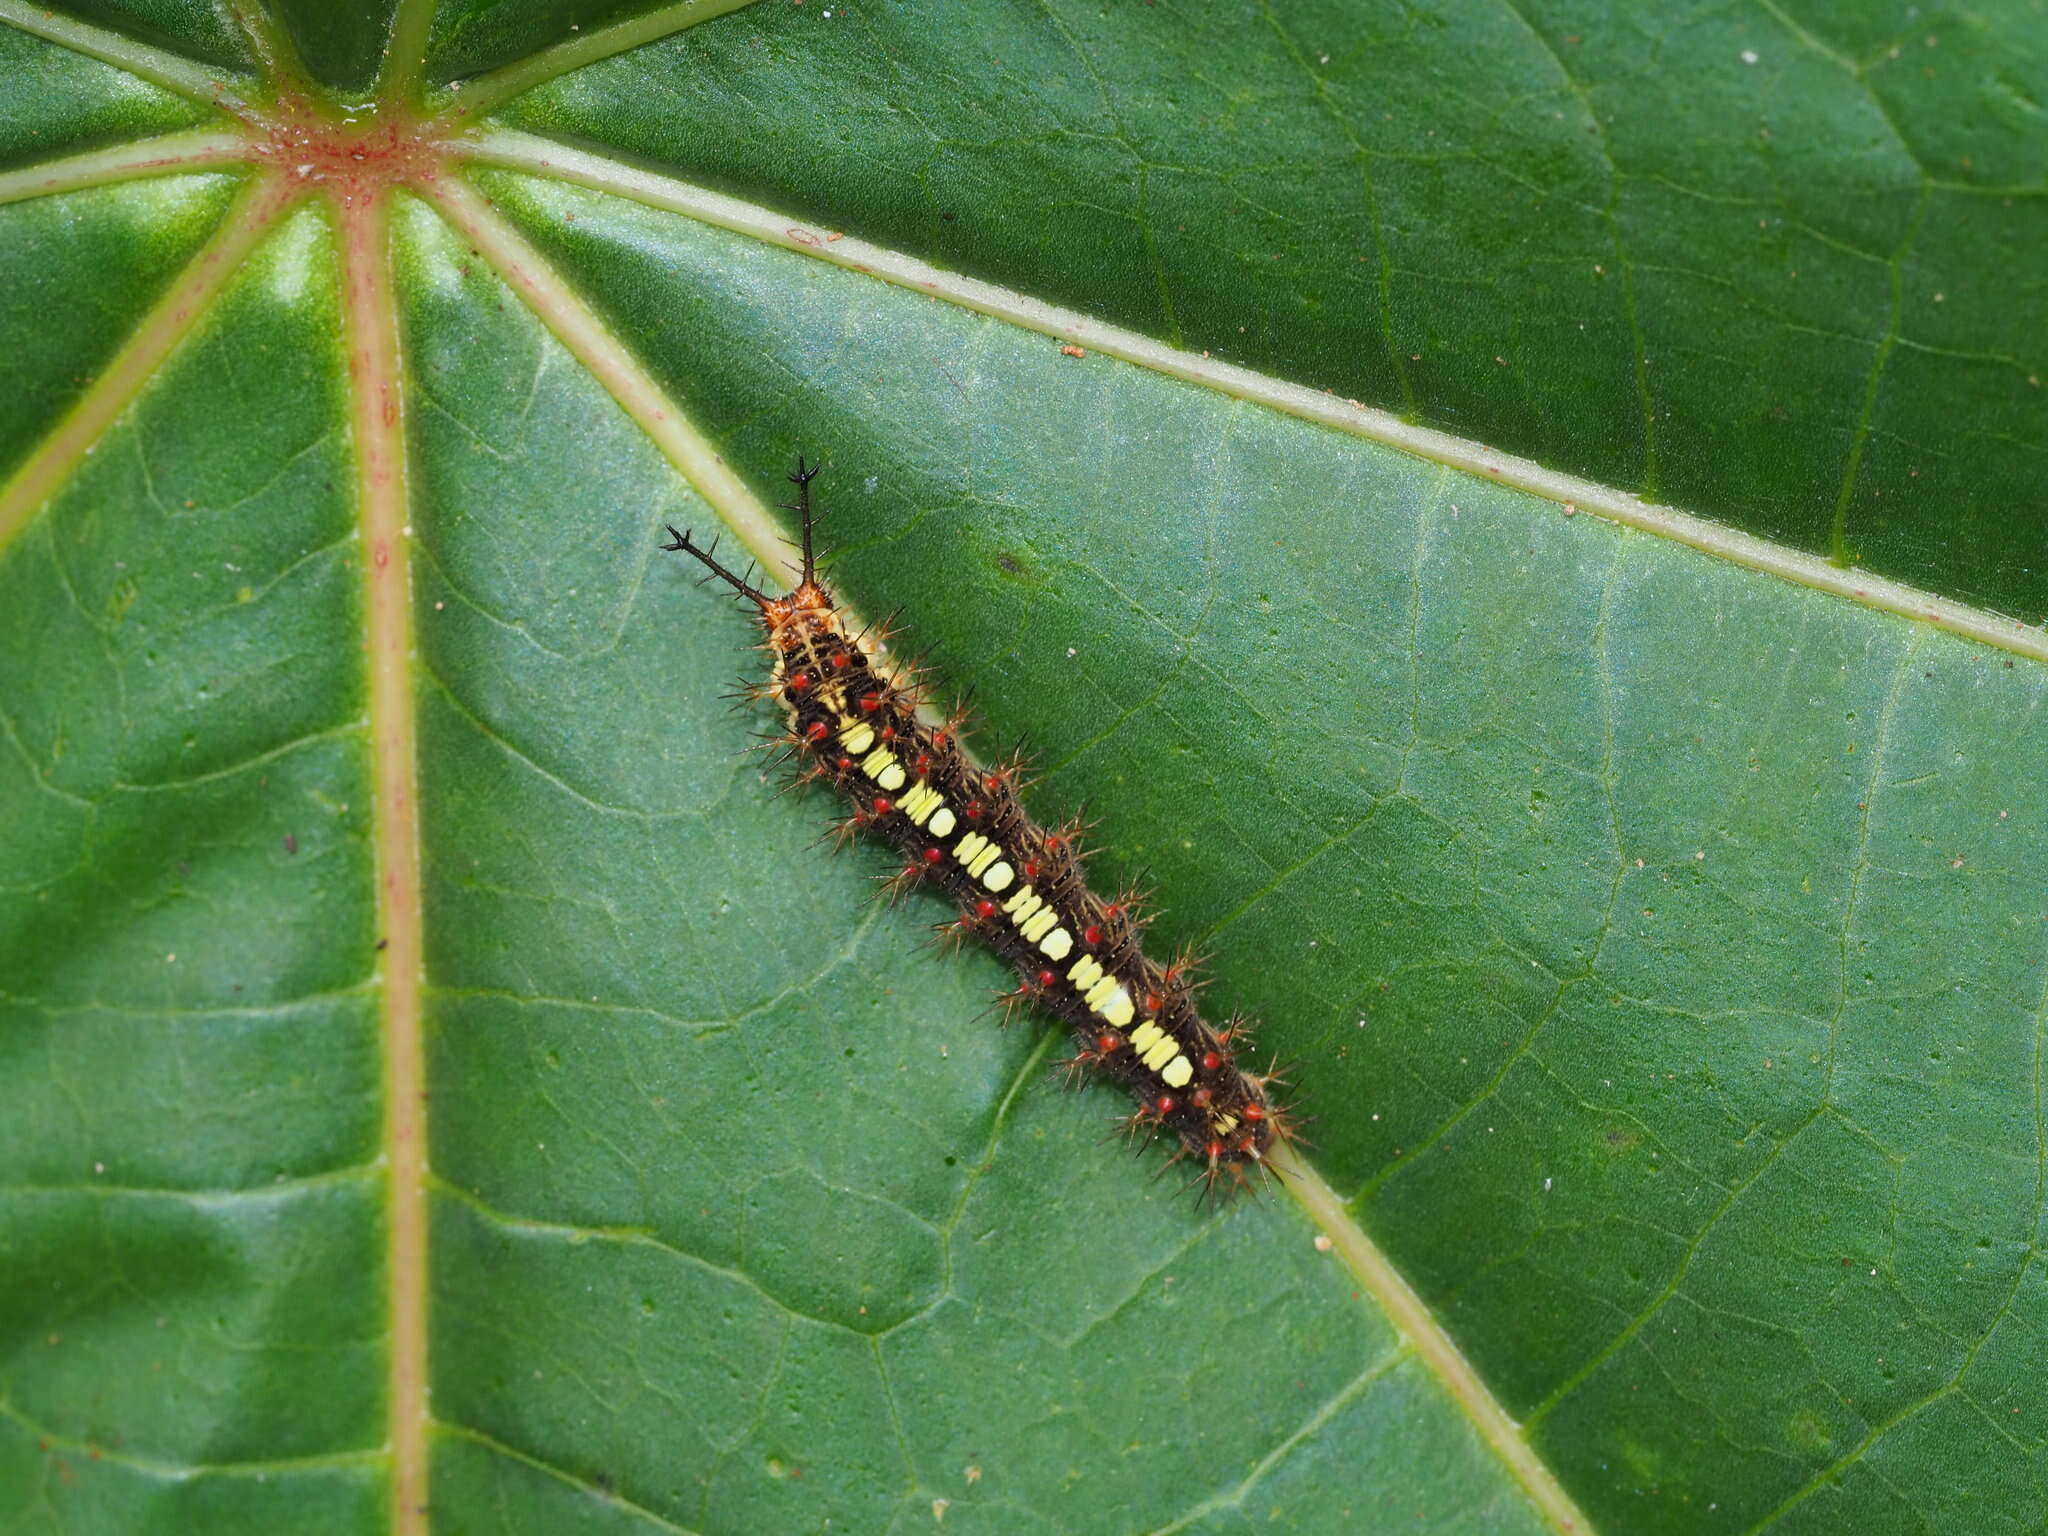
{"x":853,"y":724}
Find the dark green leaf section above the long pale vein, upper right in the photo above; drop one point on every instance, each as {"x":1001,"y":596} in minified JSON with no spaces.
{"x":1740,"y":263}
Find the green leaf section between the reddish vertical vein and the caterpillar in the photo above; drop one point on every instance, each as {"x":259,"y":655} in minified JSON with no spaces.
{"x":773,"y":1193}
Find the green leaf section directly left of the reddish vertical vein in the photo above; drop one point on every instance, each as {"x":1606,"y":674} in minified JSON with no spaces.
{"x":191,"y":1086}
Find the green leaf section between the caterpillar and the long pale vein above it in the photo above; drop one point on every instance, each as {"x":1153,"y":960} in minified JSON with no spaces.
{"x":1619,"y":908}
